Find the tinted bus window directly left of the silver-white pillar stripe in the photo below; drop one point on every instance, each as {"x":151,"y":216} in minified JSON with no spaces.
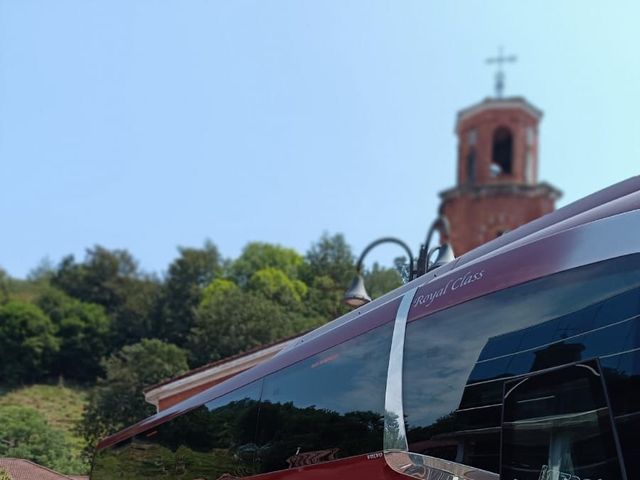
{"x":326,"y":407}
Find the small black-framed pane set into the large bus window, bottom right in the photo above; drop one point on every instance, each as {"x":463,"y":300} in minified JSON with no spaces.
{"x":558,"y":424}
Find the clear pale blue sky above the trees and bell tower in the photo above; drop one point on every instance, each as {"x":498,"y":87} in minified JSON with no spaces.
{"x":149,"y":124}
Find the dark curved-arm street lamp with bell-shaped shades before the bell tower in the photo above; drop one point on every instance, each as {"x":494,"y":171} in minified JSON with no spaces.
{"x":357,"y":295}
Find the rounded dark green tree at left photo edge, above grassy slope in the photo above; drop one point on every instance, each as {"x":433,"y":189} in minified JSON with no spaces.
{"x":28,"y":343}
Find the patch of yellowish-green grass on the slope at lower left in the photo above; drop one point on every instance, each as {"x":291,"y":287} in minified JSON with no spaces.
{"x":62,"y":406}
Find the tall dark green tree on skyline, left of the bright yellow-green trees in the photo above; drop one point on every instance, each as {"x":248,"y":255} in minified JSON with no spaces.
{"x":188,"y":275}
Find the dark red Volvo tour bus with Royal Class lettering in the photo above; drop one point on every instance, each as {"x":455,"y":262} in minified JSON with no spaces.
{"x":519,"y":360}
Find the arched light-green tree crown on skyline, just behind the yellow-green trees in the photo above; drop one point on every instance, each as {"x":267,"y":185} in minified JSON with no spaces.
{"x":257,"y":256}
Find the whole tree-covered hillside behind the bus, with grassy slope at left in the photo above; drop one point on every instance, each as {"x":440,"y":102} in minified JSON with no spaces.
{"x":102,"y":324}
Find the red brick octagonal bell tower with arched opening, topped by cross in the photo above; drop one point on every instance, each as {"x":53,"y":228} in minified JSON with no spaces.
{"x":498,"y":188}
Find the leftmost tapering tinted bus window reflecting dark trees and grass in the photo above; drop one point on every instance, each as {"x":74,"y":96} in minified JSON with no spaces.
{"x":211,"y":441}
